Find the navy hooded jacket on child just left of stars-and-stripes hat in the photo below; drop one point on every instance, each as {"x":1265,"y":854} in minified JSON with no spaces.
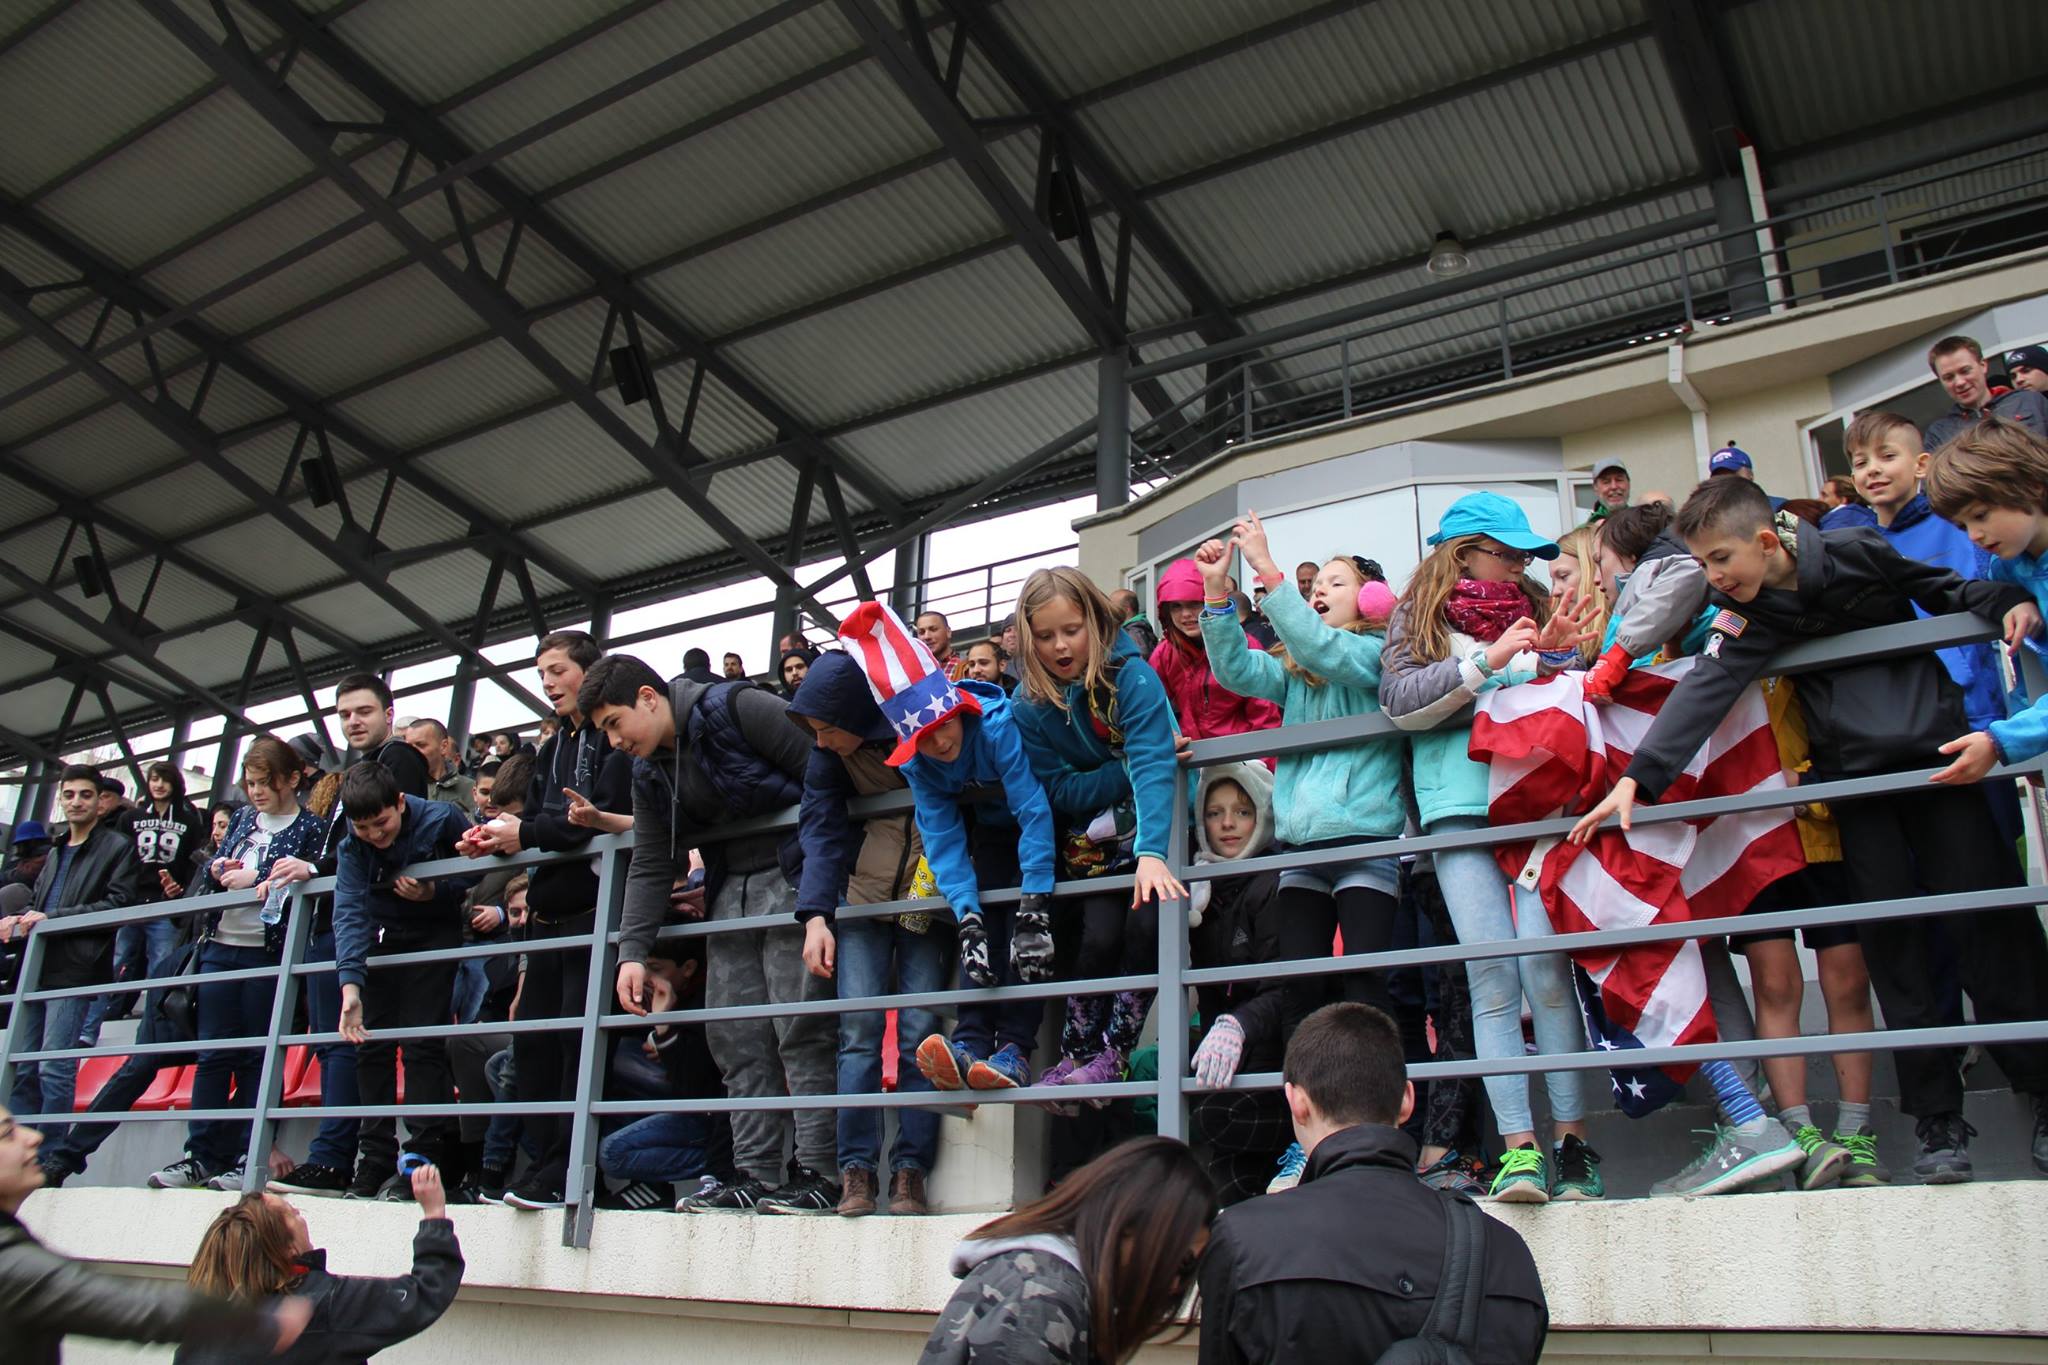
{"x":837,"y":693}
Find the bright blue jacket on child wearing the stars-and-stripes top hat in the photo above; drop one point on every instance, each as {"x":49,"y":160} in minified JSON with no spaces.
{"x":992,"y":750}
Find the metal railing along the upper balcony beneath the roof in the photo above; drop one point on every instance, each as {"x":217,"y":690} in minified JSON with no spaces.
{"x":1443,"y":339}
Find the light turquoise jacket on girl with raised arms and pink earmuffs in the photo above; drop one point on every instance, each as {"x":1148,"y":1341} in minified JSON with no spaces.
{"x":1338,"y":793}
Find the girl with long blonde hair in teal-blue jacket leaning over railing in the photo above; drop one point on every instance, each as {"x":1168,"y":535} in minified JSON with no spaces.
{"x":1099,"y":730}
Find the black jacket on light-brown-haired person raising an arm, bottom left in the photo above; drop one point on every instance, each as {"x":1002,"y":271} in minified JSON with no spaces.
{"x":357,"y":1317}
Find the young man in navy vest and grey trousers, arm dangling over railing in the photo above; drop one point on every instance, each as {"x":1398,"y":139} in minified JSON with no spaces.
{"x":706,"y":758}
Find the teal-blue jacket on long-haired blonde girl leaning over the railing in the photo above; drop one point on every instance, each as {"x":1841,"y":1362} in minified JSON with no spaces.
{"x":1080,"y":770}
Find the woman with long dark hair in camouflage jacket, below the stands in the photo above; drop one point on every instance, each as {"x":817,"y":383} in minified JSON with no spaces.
{"x":1091,"y":1272}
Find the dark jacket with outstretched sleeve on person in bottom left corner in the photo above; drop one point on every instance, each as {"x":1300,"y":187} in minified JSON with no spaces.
{"x":46,"y":1296}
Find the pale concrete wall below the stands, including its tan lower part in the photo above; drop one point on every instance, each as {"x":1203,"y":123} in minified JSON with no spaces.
{"x":1965,"y":1270}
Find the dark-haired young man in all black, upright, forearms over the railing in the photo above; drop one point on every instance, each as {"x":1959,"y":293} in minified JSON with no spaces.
{"x":562,"y":897}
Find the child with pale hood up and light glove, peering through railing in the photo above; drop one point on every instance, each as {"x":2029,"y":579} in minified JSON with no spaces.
{"x":1236,"y":922}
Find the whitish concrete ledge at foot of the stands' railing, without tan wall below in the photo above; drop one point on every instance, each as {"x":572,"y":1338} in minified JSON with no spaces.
{"x":1967,"y":1262}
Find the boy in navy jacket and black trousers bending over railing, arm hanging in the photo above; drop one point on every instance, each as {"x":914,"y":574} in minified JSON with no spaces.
{"x":382,"y":912}
